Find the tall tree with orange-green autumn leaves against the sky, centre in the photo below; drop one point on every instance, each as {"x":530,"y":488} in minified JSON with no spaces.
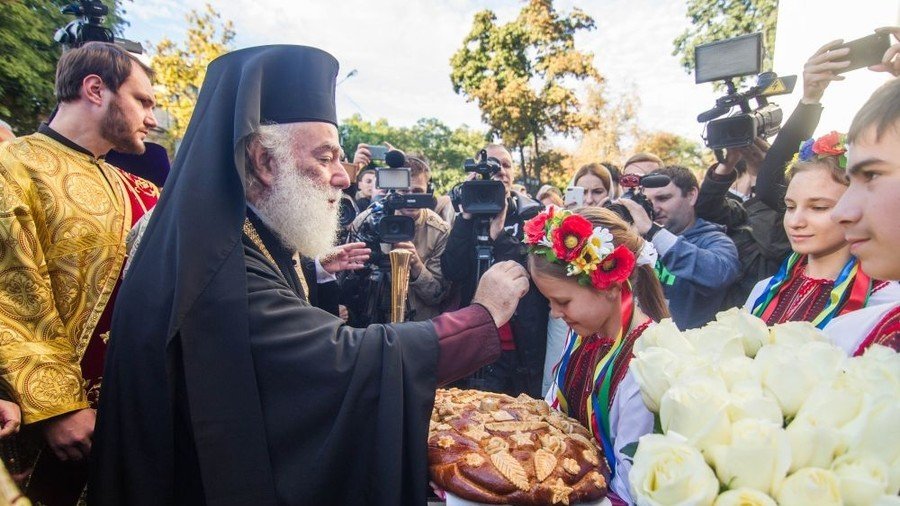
{"x":521,"y":74}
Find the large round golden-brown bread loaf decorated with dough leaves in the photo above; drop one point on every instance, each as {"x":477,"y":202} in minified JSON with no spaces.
{"x":491,"y":448}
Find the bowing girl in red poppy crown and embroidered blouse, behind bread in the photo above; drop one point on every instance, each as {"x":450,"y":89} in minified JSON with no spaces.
{"x":598,"y":276}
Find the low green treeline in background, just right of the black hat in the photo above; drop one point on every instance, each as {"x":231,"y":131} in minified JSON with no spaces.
{"x":446,"y":149}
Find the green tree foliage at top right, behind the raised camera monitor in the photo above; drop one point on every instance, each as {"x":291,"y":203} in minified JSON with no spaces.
{"x":713,"y":20}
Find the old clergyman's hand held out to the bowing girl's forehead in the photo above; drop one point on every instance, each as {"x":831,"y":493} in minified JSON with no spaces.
{"x":500,"y":289}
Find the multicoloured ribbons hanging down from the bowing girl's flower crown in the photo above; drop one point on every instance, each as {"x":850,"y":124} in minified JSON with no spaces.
{"x":600,"y":401}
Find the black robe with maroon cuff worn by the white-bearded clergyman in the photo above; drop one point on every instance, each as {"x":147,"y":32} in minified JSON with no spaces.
{"x":345,"y":411}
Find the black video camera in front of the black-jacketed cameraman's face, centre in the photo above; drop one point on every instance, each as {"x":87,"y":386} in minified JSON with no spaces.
{"x":483,"y":197}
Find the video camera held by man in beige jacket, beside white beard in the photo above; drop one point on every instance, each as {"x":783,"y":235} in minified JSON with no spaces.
{"x":382,"y":225}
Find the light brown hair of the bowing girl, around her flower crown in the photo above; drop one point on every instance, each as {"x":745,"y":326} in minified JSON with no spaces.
{"x":647,"y":289}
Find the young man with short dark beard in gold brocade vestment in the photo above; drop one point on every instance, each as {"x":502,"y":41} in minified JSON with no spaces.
{"x":64,"y":215}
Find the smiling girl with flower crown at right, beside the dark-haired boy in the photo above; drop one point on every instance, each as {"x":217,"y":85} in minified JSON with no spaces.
{"x":819,"y":280}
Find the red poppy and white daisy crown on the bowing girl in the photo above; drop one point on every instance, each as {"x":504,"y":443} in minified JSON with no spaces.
{"x":565,"y":238}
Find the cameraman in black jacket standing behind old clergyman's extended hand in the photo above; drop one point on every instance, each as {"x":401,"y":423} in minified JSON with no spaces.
{"x":523,"y":340}
